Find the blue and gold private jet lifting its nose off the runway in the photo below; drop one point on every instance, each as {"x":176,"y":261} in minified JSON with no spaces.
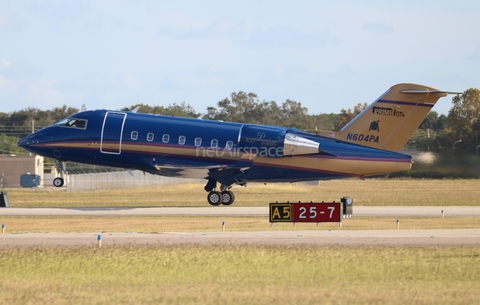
{"x":230,"y":154}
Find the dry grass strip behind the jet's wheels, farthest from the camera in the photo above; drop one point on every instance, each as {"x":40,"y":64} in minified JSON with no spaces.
{"x":370,"y":192}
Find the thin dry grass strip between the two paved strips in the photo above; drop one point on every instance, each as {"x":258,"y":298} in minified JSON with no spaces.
{"x":98,"y":224}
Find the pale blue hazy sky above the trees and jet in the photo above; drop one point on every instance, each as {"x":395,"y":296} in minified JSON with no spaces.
{"x":327,"y":55}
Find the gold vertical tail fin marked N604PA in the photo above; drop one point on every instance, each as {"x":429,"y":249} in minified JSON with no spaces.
{"x":390,"y":121}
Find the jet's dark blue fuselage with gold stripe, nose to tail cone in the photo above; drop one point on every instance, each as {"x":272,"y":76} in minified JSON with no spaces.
{"x":226,"y":152}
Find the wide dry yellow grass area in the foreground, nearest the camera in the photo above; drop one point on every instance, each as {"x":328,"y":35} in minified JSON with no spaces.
{"x":241,"y":275}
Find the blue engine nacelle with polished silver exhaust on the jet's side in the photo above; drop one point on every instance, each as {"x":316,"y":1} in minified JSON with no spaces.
{"x":274,"y":142}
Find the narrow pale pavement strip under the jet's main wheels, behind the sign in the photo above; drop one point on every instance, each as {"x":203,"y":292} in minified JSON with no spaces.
{"x":389,"y":211}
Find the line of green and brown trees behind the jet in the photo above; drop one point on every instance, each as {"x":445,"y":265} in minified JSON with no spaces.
{"x":458,"y":131}
